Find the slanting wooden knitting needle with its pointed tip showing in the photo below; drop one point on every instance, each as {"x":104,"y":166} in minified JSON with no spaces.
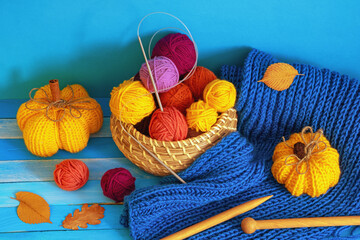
{"x":221,"y":217}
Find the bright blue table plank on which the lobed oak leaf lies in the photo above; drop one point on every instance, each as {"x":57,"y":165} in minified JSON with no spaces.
{"x":9,"y":221}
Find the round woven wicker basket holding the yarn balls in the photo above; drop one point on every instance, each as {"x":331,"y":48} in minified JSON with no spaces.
{"x":177,"y":155}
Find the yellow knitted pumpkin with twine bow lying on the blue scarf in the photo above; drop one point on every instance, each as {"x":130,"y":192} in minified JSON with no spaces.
{"x":306,"y":163}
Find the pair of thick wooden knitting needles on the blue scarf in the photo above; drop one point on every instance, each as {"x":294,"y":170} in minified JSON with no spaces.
{"x":250,"y":225}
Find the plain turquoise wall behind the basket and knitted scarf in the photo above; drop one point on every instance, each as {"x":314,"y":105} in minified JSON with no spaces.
{"x":93,"y":42}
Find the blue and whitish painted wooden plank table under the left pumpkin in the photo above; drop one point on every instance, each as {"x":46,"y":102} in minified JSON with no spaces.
{"x":22,"y":171}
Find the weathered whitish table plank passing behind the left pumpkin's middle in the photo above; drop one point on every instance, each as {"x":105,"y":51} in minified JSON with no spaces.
{"x":10,"y":130}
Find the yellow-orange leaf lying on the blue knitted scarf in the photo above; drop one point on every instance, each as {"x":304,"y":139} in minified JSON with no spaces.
{"x":279,"y":76}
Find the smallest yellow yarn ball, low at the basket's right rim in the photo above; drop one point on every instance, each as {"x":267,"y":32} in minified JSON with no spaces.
{"x":200,"y":116}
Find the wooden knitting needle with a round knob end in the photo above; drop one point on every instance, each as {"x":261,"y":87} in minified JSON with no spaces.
{"x":250,"y":225}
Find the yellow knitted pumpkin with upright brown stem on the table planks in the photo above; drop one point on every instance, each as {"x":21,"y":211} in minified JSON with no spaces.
{"x":54,"y":120}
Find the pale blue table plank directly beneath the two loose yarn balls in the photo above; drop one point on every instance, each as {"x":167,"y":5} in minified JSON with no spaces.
{"x":90,"y":193}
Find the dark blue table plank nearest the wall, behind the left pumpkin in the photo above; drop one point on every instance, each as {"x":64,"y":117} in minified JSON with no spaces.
{"x":9,"y":107}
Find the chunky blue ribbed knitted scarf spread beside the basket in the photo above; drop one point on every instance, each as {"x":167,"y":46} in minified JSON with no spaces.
{"x":237,"y":169}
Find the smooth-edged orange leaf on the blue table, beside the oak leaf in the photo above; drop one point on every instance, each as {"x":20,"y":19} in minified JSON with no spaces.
{"x":32,"y":208}
